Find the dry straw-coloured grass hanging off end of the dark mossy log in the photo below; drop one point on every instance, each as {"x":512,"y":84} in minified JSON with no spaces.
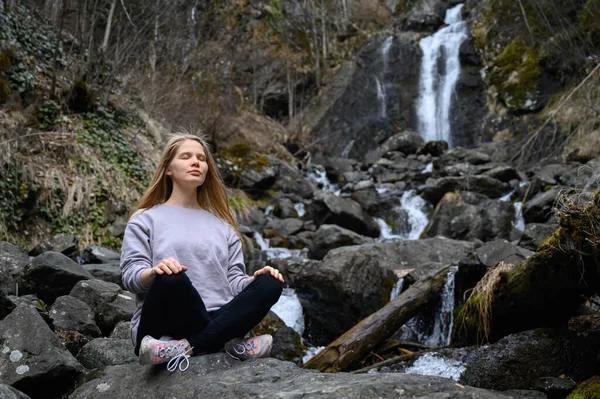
{"x":478,"y":306}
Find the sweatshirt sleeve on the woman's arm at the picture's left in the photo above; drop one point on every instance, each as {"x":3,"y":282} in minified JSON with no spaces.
{"x":136,"y":254}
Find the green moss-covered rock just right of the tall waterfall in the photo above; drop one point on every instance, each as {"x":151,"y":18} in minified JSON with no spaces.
{"x":516,"y":74}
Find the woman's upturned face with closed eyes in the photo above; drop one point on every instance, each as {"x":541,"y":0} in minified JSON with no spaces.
{"x":188,"y":167}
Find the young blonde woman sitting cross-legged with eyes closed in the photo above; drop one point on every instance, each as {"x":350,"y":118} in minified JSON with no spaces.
{"x":182,"y":257}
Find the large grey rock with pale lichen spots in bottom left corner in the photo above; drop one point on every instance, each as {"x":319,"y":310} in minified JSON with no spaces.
{"x":33,"y":359}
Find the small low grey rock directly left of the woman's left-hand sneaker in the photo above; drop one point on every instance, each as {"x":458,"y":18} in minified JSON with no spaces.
{"x":102,"y":352}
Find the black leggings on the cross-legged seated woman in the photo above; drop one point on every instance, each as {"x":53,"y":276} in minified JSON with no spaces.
{"x":174,"y":308}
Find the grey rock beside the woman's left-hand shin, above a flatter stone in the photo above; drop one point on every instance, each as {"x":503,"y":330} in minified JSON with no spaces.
{"x":108,"y":301}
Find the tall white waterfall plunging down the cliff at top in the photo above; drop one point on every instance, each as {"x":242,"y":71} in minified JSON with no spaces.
{"x":437,"y":87}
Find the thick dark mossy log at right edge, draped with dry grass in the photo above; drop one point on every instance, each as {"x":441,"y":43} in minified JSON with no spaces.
{"x":546,"y":289}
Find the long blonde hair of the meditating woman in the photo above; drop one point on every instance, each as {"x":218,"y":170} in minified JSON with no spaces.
{"x":212,"y":194}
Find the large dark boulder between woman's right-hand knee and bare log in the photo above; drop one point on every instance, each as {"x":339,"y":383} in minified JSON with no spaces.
{"x":337,"y":293}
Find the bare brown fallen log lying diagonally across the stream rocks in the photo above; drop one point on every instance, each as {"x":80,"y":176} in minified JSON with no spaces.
{"x":357,"y":342}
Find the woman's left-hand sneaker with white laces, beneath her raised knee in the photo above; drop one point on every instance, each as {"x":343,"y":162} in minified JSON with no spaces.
{"x":157,"y":351}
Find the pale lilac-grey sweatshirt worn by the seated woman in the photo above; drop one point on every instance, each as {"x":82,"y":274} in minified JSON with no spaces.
{"x":208,"y":246}
